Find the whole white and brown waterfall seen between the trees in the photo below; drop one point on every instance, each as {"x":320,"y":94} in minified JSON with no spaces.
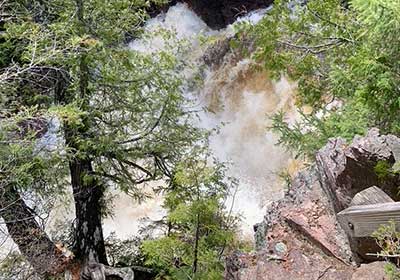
{"x":236,"y":95}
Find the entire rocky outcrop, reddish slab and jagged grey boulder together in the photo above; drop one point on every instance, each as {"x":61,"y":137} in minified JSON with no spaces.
{"x":300,"y":237}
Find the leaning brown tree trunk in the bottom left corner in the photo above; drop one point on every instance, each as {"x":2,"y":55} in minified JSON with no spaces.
{"x":30,"y":238}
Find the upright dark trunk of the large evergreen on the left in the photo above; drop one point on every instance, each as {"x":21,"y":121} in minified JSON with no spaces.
{"x":88,"y":191}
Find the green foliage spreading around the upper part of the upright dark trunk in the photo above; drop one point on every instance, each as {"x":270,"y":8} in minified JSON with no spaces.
{"x":123,"y":110}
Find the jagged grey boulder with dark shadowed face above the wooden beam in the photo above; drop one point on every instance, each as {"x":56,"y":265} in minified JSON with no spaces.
{"x":348,"y":169}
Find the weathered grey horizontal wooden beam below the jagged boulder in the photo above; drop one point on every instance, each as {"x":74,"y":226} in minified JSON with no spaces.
{"x":363,"y":220}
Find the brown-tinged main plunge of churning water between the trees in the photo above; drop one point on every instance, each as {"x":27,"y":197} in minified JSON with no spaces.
{"x":240,"y":95}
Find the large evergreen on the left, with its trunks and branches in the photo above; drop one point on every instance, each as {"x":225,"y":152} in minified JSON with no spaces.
{"x":122,"y":114}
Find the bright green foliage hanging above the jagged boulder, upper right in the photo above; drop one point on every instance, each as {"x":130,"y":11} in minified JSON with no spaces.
{"x":336,"y":51}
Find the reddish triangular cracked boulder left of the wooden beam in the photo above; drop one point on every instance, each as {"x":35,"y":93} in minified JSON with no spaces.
{"x":298,"y":239}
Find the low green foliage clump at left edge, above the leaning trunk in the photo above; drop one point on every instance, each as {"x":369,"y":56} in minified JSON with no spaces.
{"x":24,"y":163}
